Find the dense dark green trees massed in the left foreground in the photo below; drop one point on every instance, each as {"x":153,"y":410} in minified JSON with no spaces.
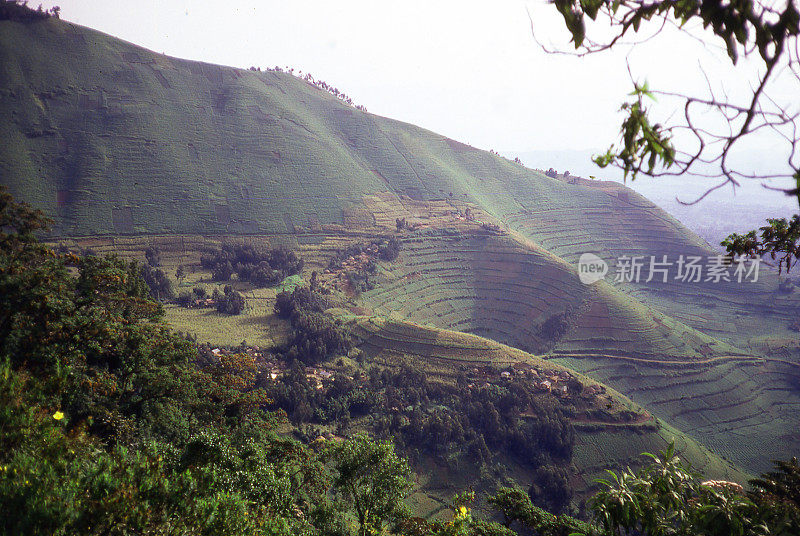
{"x":107,"y":426}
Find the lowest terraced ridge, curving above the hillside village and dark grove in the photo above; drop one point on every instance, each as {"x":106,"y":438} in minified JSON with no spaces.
{"x":600,"y":444}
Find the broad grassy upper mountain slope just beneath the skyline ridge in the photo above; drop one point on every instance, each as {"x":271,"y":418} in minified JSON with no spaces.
{"x":114,"y":139}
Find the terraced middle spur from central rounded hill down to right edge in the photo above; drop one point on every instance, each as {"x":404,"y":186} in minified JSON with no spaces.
{"x":727,"y":399}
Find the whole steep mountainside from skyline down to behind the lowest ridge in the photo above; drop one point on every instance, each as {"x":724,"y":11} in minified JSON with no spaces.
{"x":114,"y":140}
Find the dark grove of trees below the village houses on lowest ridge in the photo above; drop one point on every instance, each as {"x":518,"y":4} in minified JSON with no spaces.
{"x":458,"y":425}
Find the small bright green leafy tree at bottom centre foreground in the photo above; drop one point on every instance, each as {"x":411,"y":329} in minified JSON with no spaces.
{"x":373,"y":480}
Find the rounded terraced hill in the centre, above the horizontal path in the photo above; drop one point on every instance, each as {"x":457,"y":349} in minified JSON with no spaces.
{"x":498,"y":288}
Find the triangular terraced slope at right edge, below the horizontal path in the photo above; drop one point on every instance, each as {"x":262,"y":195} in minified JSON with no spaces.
{"x":737,"y":408}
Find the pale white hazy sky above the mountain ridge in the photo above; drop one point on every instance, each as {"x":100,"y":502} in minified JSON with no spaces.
{"x":468,"y":69}
